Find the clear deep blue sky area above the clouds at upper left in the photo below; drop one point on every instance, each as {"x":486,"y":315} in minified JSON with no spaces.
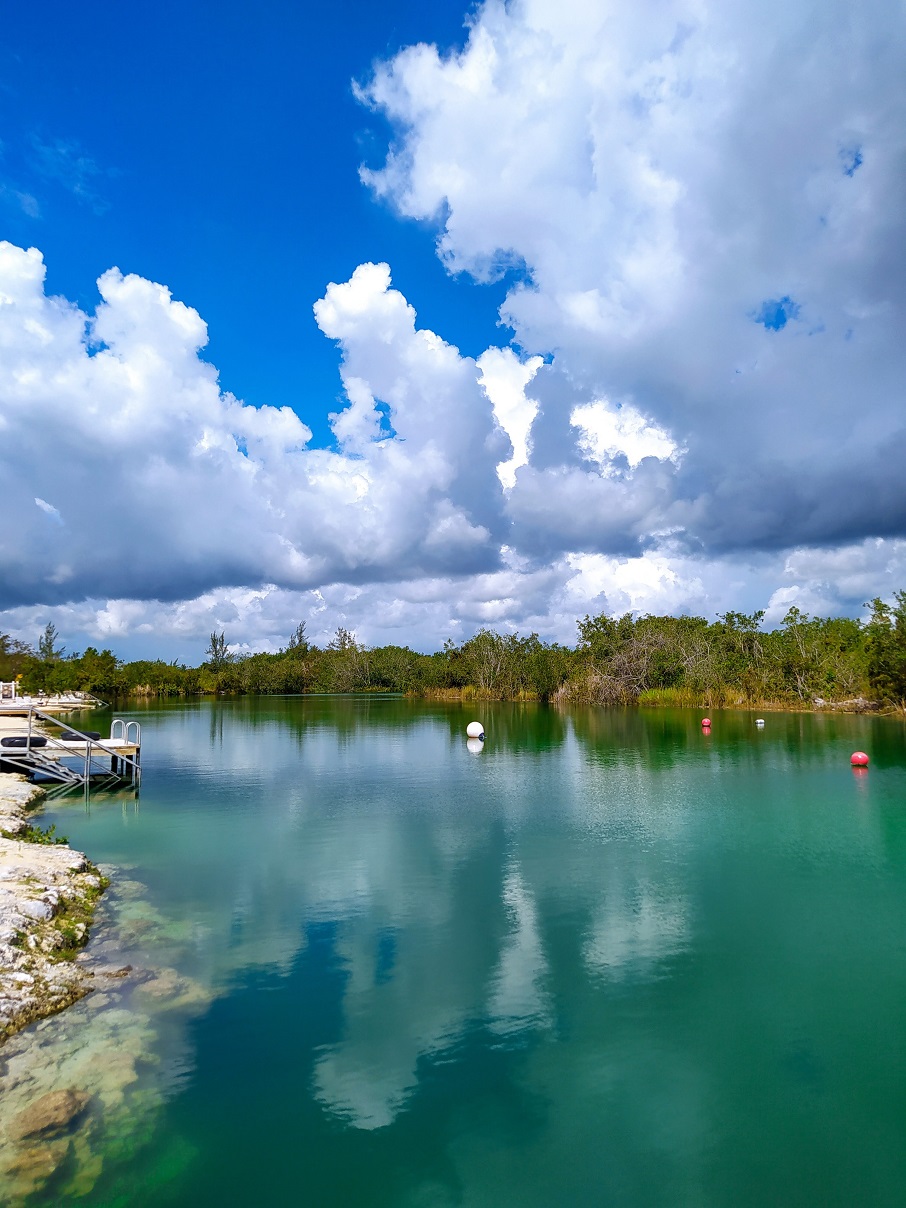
{"x":217,"y":148}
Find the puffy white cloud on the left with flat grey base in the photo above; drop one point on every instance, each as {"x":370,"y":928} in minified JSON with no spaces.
{"x":127,"y":473}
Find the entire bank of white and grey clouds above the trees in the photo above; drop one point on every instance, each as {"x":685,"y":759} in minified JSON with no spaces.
{"x":707,"y":208}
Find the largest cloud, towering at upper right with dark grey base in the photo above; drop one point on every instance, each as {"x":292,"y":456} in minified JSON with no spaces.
{"x":663,"y":190}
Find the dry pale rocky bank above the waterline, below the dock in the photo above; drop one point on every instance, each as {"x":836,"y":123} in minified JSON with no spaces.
{"x":48,"y":898}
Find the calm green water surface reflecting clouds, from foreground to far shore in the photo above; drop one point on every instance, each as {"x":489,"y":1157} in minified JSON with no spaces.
{"x":607,"y":961}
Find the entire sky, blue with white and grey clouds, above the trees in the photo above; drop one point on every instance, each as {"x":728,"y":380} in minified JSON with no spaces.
{"x":415,"y":320}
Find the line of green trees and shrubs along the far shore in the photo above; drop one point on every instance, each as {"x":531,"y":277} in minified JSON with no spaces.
{"x":629,"y":660}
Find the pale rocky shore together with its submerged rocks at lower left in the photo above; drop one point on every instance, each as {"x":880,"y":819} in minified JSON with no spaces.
{"x":82,"y":1091}
